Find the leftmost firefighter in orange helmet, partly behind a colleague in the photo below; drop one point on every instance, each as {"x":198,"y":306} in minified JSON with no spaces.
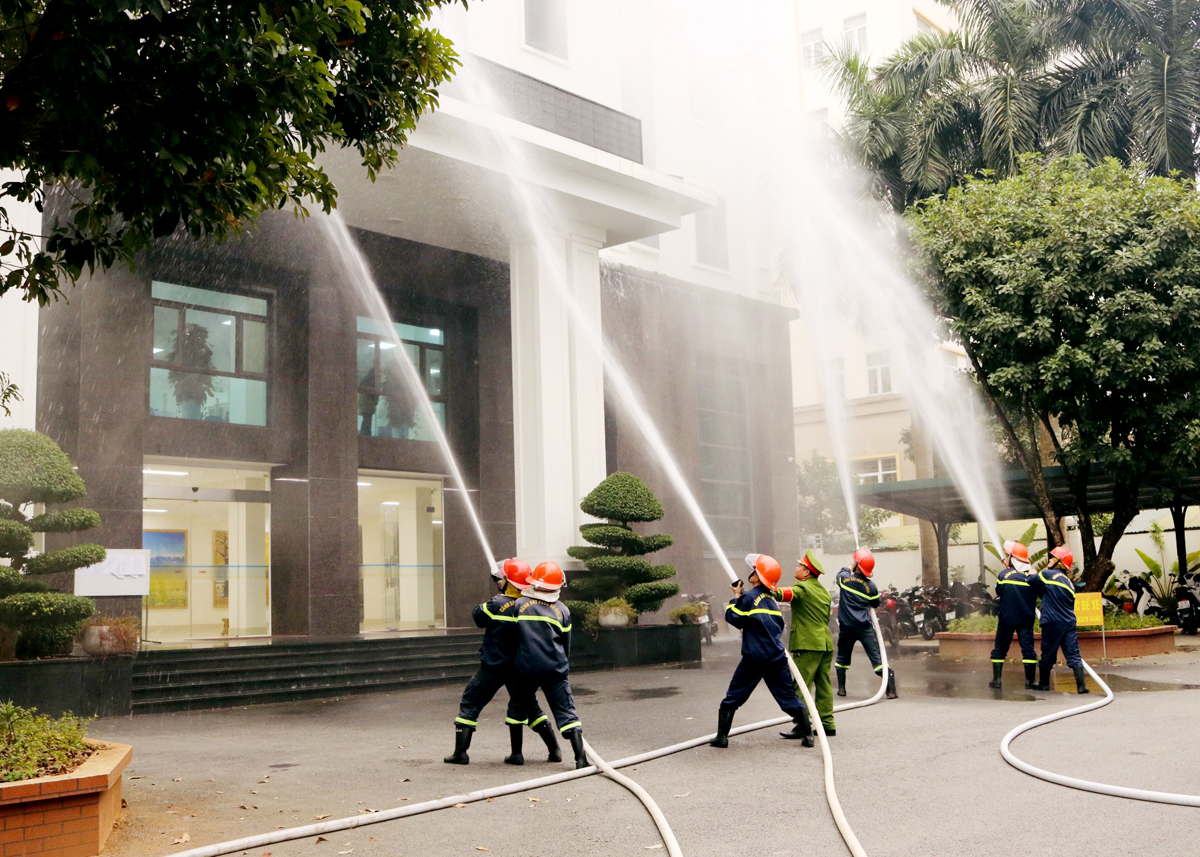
{"x":496,"y":657}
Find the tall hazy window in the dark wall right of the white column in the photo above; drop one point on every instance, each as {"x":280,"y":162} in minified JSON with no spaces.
{"x":724,"y":435}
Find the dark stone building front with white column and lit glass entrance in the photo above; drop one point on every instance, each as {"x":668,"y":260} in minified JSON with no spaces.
{"x":238,"y":410}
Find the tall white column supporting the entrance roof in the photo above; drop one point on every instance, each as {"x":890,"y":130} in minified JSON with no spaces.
{"x":557,"y":394}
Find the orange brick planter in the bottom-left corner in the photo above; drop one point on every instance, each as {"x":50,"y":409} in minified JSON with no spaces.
{"x":70,"y":816}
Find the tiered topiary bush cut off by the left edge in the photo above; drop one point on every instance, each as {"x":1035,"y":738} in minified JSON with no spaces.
{"x":35,"y":624}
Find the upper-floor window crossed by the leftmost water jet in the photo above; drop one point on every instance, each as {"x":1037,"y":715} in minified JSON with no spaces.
{"x":387,"y":405}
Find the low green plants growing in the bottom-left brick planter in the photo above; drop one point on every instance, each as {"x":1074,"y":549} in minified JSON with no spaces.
{"x":34,"y":745}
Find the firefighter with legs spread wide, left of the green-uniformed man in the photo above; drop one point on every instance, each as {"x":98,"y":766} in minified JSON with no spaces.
{"x":764,"y":660}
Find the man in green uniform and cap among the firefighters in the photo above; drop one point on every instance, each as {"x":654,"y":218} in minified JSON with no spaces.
{"x":811,"y":642}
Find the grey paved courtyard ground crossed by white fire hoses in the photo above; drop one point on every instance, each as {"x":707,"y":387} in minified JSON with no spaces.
{"x":917,"y":776}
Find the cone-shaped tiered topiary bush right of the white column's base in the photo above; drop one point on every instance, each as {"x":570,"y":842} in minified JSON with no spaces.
{"x":615,"y":567}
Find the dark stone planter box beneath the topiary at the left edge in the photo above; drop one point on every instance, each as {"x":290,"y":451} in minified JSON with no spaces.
{"x":88,"y":687}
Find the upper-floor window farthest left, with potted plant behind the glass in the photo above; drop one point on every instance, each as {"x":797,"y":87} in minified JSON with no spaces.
{"x":211,"y":353}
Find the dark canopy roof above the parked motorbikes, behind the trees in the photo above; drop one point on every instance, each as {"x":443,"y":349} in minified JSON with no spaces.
{"x":939,"y":500}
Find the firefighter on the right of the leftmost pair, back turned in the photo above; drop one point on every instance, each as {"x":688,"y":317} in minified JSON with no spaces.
{"x":544,"y":643}
